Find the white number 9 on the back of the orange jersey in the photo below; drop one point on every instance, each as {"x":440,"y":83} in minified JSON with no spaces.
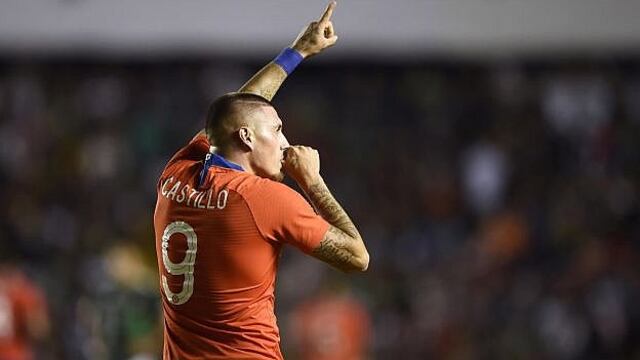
{"x":185,"y":267}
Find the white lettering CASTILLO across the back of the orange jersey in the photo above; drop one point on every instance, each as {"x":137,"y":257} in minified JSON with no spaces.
{"x":183,"y":193}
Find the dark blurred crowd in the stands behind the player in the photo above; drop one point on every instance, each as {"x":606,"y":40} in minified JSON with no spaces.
{"x":498,"y":200}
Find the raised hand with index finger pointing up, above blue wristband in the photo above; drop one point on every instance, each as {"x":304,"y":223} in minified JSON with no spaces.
{"x":318,"y":35}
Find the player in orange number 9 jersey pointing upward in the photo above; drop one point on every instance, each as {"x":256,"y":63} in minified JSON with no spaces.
{"x":222,"y":217}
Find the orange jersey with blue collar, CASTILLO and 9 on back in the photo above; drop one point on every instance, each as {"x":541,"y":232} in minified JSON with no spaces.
{"x":218,"y":246}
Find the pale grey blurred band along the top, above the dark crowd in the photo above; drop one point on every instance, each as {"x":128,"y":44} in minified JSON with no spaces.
{"x":376,"y":28}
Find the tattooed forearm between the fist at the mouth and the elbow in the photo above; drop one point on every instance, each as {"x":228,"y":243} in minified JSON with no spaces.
{"x":329,"y":208}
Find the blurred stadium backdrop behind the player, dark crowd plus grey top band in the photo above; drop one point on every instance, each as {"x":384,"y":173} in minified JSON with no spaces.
{"x":486,"y":149}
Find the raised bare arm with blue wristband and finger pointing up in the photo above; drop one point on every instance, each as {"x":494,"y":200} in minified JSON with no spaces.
{"x":313,"y":39}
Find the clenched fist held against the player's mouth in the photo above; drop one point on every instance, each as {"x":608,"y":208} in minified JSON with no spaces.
{"x":302,"y":164}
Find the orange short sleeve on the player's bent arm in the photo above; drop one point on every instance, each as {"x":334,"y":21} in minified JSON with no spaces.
{"x":283,"y":215}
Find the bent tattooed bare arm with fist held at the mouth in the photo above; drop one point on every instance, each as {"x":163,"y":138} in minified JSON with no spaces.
{"x":342,"y":245}
